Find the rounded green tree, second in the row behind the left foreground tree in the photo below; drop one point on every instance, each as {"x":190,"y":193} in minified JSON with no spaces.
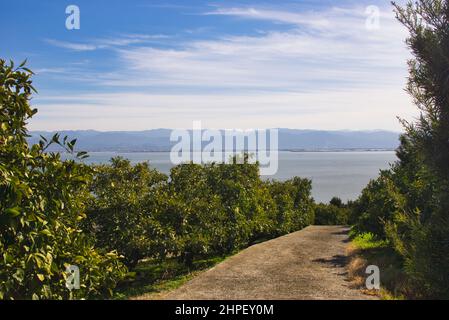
{"x":189,"y":211}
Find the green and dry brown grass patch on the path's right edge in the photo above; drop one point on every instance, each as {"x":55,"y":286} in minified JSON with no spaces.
{"x":366,"y":250}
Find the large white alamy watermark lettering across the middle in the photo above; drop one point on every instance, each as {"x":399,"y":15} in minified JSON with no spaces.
{"x":223,"y":146}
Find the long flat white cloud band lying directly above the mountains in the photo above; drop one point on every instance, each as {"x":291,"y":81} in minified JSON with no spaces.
{"x":351,"y":109}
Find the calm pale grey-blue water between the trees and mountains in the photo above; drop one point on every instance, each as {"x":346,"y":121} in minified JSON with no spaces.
{"x":342,"y":174}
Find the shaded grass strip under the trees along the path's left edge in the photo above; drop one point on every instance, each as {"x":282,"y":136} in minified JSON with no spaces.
{"x":153,"y":277}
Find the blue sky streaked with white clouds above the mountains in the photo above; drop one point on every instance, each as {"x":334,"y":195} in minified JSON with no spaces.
{"x":136,"y":65}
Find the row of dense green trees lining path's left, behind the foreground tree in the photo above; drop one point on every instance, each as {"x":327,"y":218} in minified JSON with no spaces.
{"x":196,"y":211}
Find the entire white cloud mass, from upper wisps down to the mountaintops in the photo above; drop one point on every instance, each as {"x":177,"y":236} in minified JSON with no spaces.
{"x":326,"y":72}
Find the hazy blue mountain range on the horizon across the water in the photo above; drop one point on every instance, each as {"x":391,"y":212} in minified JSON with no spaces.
{"x":289,"y":139}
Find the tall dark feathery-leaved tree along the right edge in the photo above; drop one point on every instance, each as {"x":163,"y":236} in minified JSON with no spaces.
{"x":410,"y":204}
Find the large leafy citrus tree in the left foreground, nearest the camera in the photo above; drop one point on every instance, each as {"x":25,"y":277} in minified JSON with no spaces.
{"x":41,"y":206}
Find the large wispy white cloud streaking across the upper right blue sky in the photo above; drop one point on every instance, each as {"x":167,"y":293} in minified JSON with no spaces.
{"x":333,"y":49}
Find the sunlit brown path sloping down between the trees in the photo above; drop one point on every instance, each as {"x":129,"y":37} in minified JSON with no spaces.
{"x":309,"y":264}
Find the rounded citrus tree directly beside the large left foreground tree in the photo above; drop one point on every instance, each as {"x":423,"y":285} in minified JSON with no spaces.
{"x":118,"y":215}
